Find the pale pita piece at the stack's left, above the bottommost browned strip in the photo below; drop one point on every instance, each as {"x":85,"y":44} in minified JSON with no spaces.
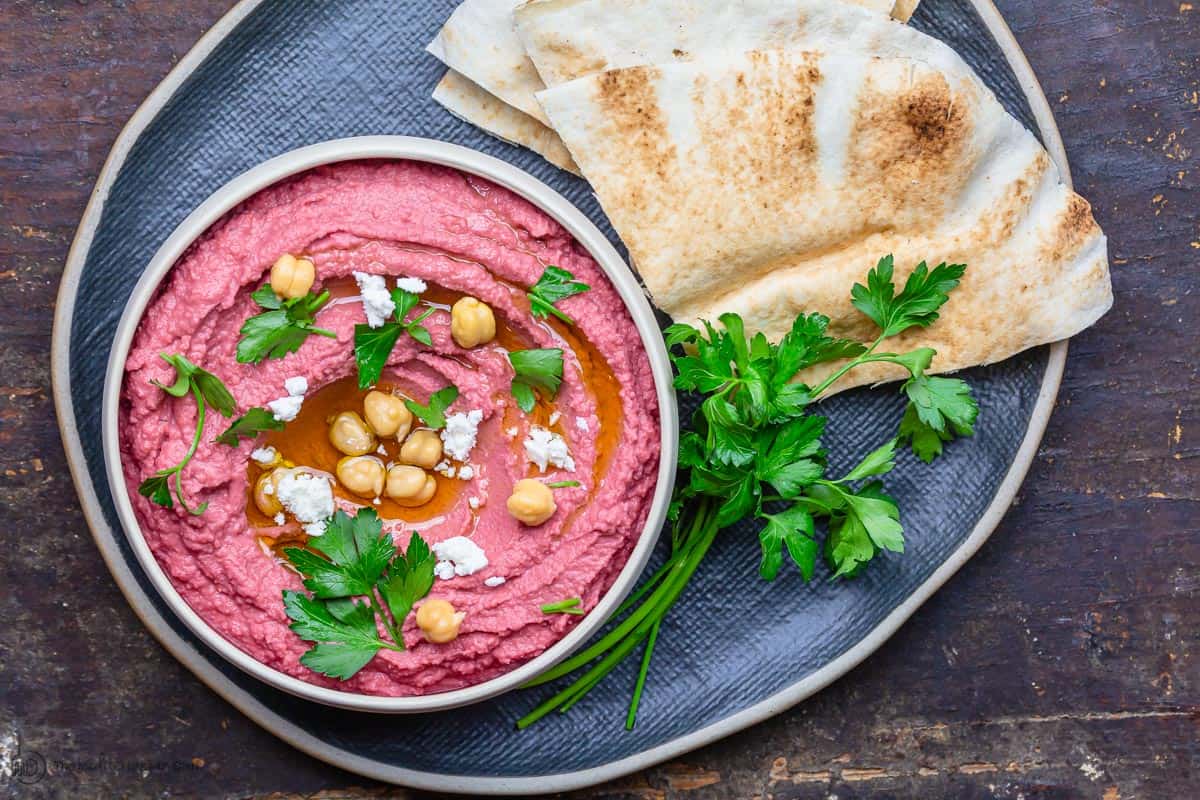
{"x":479,"y":43}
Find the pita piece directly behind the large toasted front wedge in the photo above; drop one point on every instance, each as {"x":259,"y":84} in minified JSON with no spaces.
{"x":571,"y":39}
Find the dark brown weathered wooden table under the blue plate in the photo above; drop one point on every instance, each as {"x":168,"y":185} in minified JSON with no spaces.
{"x":1061,"y":663}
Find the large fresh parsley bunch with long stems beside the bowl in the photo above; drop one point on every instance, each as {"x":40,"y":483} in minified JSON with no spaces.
{"x":755,"y":452}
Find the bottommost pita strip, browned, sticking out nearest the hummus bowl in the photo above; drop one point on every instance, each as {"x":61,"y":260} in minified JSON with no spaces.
{"x":471,"y":104}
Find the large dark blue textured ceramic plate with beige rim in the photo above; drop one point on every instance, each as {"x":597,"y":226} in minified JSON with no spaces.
{"x":275,"y":76}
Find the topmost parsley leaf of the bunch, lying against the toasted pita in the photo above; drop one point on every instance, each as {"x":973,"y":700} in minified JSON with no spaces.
{"x":925,"y":293}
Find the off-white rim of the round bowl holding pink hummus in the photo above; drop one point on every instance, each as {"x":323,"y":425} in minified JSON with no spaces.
{"x":545,"y":199}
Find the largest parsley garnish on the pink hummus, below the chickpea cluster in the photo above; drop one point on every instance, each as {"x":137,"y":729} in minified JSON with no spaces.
{"x":353,"y":560}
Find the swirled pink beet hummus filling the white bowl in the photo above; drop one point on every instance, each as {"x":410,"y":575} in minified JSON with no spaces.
{"x":466,"y":237}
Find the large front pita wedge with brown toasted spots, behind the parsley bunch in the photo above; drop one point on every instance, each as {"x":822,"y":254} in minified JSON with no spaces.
{"x":769,"y":184}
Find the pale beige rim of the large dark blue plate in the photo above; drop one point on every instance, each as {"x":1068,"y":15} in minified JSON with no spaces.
{"x":298,"y":738}
